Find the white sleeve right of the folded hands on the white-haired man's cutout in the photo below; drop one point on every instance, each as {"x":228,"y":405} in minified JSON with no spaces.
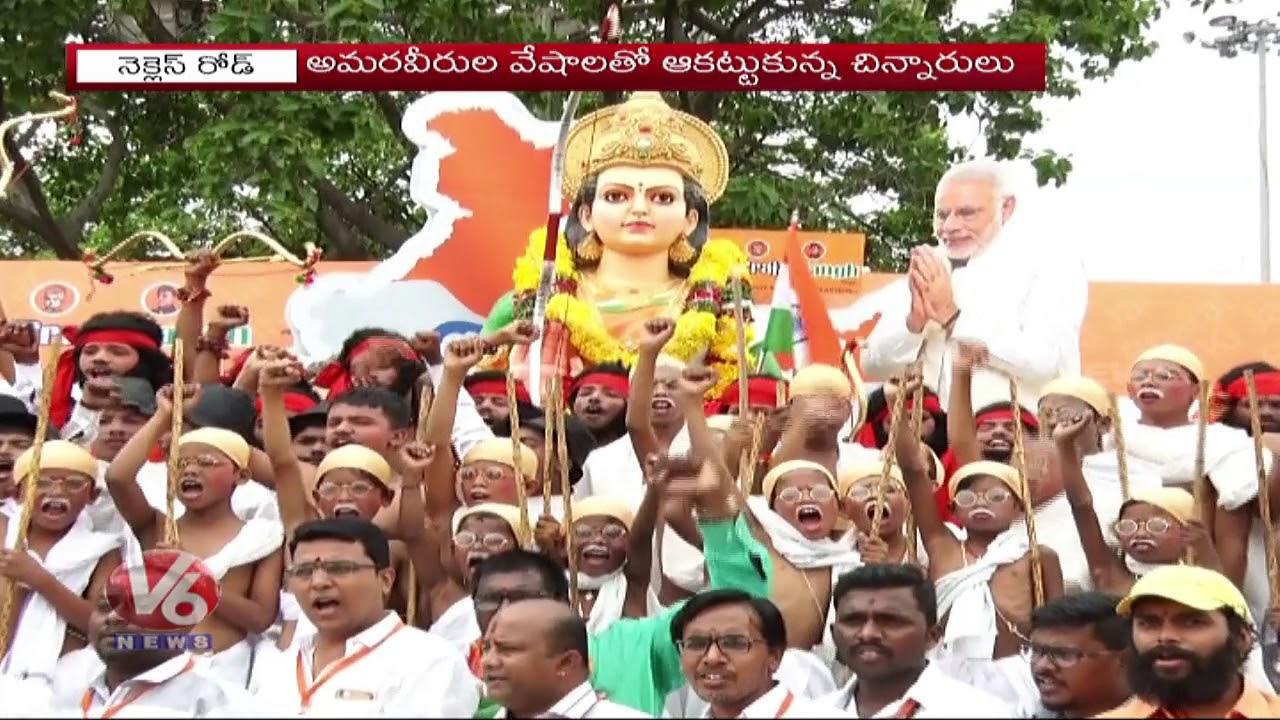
{"x":1039,"y":339}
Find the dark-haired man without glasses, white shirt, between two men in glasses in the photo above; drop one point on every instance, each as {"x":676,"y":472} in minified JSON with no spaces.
{"x":886,"y":622}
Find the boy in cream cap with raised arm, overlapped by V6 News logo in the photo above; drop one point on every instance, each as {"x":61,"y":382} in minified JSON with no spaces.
{"x":245,"y":557}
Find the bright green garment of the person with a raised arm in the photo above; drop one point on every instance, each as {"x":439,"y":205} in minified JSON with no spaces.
{"x":734,"y":560}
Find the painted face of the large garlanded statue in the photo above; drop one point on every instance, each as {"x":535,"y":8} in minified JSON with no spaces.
{"x":639,"y":211}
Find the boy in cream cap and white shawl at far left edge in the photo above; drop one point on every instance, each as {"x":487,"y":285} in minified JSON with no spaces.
{"x":65,"y":564}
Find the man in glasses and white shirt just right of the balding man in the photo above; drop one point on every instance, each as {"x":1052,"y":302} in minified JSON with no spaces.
{"x":732,"y":645}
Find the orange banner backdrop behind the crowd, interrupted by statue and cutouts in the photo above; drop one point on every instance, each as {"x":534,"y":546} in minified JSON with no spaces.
{"x":1226,"y":325}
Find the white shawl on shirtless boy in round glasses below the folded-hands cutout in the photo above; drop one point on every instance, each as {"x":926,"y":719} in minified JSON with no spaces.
{"x":964,"y":596}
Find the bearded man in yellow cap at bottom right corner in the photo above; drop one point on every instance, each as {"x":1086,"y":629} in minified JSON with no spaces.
{"x":1192,"y":632}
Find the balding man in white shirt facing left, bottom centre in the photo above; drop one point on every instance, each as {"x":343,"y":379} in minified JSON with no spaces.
{"x":537,"y":664}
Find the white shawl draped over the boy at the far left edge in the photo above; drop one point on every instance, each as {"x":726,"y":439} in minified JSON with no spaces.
{"x":40,"y":627}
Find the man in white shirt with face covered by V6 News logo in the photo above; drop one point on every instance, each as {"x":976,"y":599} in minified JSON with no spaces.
{"x":124,"y":682}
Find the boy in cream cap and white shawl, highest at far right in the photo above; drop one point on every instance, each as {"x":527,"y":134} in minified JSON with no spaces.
{"x":1164,"y":386}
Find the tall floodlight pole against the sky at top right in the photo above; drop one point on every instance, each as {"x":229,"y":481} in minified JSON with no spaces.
{"x":1256,"y":38}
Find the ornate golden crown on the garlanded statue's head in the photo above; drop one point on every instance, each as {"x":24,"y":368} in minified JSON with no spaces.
{"x":646,"y":131}
